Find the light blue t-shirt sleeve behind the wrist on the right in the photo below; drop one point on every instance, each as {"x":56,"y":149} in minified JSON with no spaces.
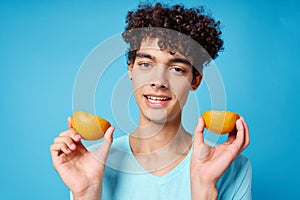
{"x":236,"y":182}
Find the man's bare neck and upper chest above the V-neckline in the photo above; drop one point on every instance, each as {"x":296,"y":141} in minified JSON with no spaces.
{"x":159,"y":148}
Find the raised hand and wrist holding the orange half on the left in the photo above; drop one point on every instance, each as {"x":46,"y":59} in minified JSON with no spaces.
{"x":82,"y":171}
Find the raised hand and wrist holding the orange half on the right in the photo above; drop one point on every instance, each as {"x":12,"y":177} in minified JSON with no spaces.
{"x":209,"y":163}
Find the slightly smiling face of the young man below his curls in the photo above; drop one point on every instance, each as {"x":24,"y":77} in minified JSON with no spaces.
{"x":161,"y":82}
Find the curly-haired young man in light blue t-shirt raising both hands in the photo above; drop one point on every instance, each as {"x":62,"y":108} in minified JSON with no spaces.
{"x":160,"y":159}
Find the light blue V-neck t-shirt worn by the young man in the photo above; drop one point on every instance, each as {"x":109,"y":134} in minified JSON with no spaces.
{"x":126,"y":179}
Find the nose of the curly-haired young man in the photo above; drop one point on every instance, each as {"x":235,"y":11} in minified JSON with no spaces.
{"x":159,"y":78}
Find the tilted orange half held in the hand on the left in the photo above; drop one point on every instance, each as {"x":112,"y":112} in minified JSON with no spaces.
{"x":90,"y":127}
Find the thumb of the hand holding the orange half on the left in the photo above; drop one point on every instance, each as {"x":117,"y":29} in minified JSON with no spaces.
{"x":102,"y":152}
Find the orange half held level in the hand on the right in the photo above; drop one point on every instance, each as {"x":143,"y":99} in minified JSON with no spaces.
{"x":220,"y":122}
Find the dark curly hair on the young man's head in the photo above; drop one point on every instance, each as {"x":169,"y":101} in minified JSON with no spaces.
{"x":192,"y":22}
